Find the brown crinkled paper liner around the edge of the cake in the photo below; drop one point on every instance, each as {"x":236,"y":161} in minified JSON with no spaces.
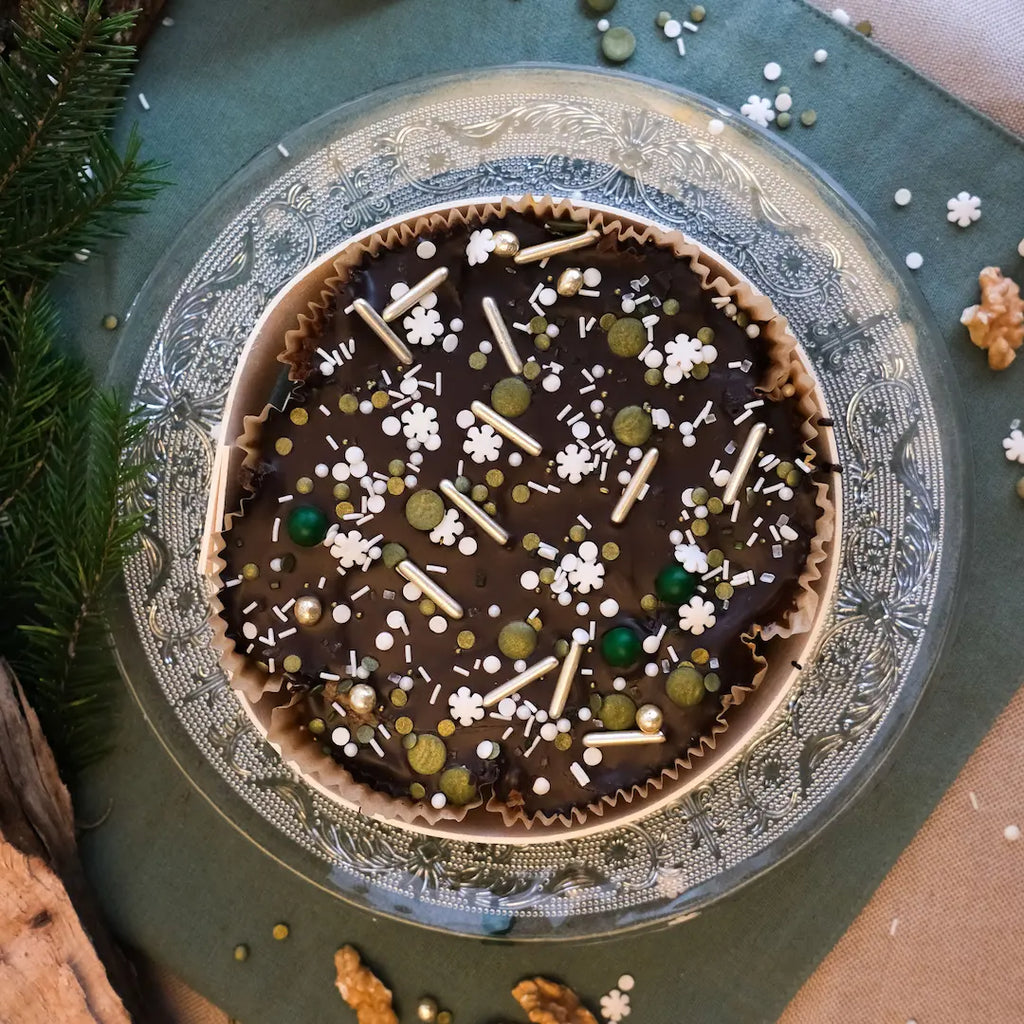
{"x":286,"y":730}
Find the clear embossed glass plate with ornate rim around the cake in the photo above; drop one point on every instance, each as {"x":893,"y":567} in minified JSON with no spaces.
{"x":655,"y":152}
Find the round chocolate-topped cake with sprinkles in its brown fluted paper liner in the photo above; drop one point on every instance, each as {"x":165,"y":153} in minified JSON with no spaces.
{"x":540,"y":494}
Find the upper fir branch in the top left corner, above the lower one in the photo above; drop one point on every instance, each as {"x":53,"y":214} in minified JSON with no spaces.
{"x":63,"y":187}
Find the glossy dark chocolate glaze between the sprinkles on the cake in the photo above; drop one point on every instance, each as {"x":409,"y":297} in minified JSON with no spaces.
{"x":492,"y":575}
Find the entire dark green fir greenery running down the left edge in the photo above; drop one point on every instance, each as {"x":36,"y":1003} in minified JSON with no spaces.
{"x":65,"y":522}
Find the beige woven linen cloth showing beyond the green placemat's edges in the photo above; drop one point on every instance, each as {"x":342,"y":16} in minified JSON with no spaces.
{"x":943,"y":941}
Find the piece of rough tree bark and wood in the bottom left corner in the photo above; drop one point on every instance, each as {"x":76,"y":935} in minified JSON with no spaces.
{"x":54,"y":943}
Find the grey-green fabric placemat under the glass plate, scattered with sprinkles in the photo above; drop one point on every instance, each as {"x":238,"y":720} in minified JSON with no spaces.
{"x":229,"y":80}
